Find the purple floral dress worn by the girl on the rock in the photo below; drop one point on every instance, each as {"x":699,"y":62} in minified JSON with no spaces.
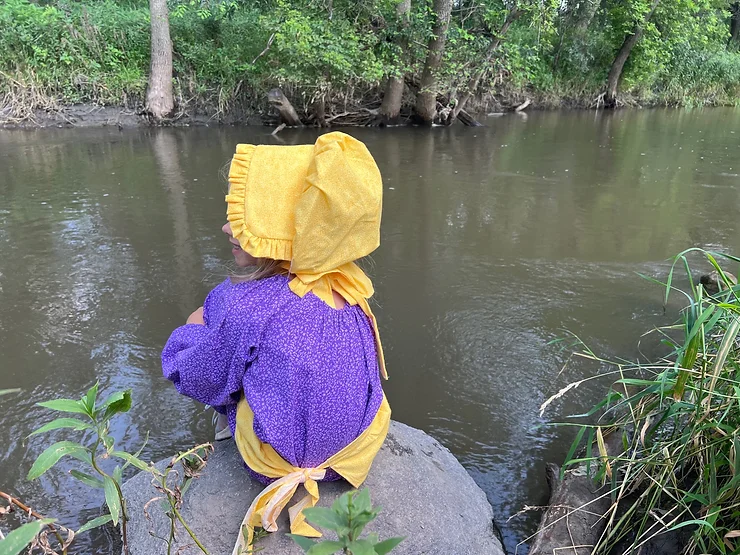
{"x":308,"y":371}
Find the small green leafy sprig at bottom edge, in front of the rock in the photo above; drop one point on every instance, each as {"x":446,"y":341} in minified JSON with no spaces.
{"x":347,"y":517}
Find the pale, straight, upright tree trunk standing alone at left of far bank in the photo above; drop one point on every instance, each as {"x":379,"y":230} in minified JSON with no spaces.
{"x":159,"y":100}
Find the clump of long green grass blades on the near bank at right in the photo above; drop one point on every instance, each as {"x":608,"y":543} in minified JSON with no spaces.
{"x":679,"y":419}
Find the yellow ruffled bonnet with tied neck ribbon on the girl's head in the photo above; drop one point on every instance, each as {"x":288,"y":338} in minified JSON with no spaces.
{"x":317,"y":207}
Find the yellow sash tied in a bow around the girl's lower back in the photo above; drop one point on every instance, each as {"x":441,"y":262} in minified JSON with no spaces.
{"x":352,"y":463}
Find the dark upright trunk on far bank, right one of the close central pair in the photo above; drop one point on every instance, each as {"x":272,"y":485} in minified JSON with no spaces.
{"x":426,"y":99}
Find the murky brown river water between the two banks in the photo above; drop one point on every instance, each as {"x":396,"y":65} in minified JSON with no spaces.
{"x":495,"y":241}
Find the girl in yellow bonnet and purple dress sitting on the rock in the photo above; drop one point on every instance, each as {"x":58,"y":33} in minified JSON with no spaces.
{"x":291,"y":353}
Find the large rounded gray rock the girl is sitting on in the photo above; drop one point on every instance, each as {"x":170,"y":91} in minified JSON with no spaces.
{"x":424,"y":492}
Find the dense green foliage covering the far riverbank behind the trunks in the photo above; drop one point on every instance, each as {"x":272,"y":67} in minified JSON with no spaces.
{"x":228,"y":53}
